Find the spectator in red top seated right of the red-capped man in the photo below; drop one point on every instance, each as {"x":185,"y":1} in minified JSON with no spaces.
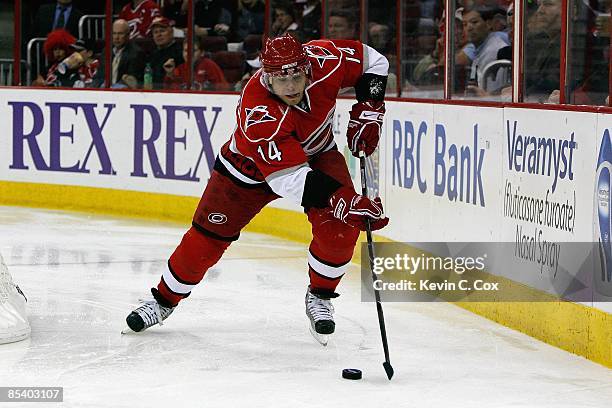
{"x":207,"y":75}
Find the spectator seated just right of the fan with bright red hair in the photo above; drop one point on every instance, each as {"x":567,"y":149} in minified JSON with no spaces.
{"x":81,"y":68}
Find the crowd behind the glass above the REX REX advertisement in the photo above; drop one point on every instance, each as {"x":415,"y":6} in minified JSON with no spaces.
{"x":148,"y":47}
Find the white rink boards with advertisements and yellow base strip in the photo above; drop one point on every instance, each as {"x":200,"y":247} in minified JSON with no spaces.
{"x":445,"y":172}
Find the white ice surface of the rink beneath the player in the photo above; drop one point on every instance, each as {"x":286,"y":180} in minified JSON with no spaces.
{"x":241,"y":339}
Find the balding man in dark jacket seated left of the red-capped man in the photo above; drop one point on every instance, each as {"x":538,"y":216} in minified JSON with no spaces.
{"x":127,"y":64}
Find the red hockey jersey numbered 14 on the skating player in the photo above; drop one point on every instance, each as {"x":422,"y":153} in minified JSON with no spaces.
{"x":274,"y":138}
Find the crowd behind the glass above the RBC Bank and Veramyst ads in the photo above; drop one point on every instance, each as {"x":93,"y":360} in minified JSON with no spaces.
{"x":482,"y":51}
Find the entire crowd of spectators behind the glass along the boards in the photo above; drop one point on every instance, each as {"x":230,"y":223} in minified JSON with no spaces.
{"x":149,"y":51}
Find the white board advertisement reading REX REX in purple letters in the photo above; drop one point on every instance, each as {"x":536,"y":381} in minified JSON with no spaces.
{"x":130,"y":141}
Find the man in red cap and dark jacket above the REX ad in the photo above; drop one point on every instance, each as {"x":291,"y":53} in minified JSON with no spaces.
{"x":166,"y":49}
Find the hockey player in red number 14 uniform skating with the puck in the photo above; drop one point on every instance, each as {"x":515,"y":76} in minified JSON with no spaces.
{"x":283,"y":147}
